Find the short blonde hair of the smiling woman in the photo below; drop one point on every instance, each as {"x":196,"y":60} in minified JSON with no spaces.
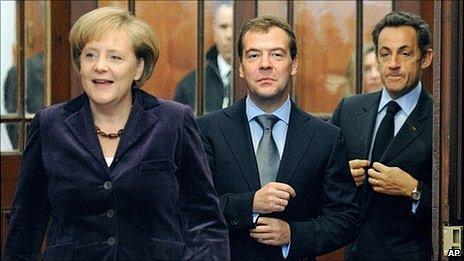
{"x":92,"y":25}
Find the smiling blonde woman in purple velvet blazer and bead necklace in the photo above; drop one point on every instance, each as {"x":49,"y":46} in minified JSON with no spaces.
{"x":120,"y":174}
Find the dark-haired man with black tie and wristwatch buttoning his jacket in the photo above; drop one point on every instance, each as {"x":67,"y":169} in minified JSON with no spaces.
{"x":395,"y":196}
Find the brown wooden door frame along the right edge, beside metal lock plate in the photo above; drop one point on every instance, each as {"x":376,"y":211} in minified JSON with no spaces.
{"x":447,"y":123}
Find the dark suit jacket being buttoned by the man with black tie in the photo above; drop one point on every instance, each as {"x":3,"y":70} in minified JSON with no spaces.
{"x":389,"y":230}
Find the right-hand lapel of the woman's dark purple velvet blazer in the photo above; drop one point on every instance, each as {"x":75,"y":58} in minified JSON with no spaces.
{"x":139,"y":122}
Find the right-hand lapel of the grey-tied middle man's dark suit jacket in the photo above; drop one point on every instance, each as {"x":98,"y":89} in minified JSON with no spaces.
{"x":299,"y":136}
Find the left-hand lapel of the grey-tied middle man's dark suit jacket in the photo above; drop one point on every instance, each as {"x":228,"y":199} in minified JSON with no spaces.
{"x":237,"y":134}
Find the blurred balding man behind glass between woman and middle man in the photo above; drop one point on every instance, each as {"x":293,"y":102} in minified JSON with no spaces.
{"x":218,"y":65}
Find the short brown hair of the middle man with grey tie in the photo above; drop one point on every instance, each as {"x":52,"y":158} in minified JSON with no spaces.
{"x":263,"y":24}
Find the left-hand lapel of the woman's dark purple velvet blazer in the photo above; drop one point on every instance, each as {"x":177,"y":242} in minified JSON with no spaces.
{"x":80,"y":124}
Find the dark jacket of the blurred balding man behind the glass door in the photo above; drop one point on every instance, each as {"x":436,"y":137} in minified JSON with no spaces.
{"x":214,"y":88}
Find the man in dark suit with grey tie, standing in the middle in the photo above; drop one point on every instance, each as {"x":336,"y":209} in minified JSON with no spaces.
{"x":282,"y":174}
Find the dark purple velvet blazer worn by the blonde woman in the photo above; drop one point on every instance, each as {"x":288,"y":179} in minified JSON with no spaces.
{"x":156,"y":200}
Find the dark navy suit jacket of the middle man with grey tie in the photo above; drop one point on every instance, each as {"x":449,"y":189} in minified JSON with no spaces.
{"x":322,"y":217}
